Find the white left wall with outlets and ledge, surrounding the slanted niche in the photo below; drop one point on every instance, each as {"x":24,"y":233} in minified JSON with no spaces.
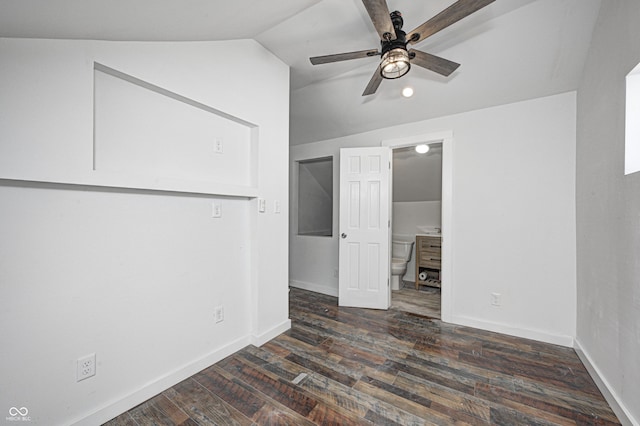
{"x":109,"y":262}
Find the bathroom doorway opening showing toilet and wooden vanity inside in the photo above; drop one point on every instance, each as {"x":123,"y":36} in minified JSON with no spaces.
{"x":417,"y":218}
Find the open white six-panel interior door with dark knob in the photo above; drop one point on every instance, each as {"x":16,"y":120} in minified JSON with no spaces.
{"x":364,"y":228}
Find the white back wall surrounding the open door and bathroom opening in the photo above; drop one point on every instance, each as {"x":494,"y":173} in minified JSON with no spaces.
{"x":513,"y":216}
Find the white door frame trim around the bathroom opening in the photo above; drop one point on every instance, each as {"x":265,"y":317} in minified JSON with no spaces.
{"x":447,"y":277}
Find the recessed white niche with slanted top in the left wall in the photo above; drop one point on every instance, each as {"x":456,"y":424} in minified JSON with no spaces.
{"x":147,"y":132}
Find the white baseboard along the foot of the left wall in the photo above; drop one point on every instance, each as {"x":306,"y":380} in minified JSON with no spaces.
{"x":150,"y":390}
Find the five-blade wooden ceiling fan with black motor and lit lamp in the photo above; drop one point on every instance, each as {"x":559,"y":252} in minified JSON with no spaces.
{"x":396,"y":59}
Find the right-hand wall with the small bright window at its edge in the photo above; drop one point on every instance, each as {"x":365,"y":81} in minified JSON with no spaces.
{"x":608,"y":213}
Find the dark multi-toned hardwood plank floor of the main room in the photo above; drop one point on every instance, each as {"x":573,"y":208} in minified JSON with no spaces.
{"x":343,"y":366}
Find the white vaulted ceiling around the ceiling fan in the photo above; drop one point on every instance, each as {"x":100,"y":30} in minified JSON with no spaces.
{"x":509,"y":51}
